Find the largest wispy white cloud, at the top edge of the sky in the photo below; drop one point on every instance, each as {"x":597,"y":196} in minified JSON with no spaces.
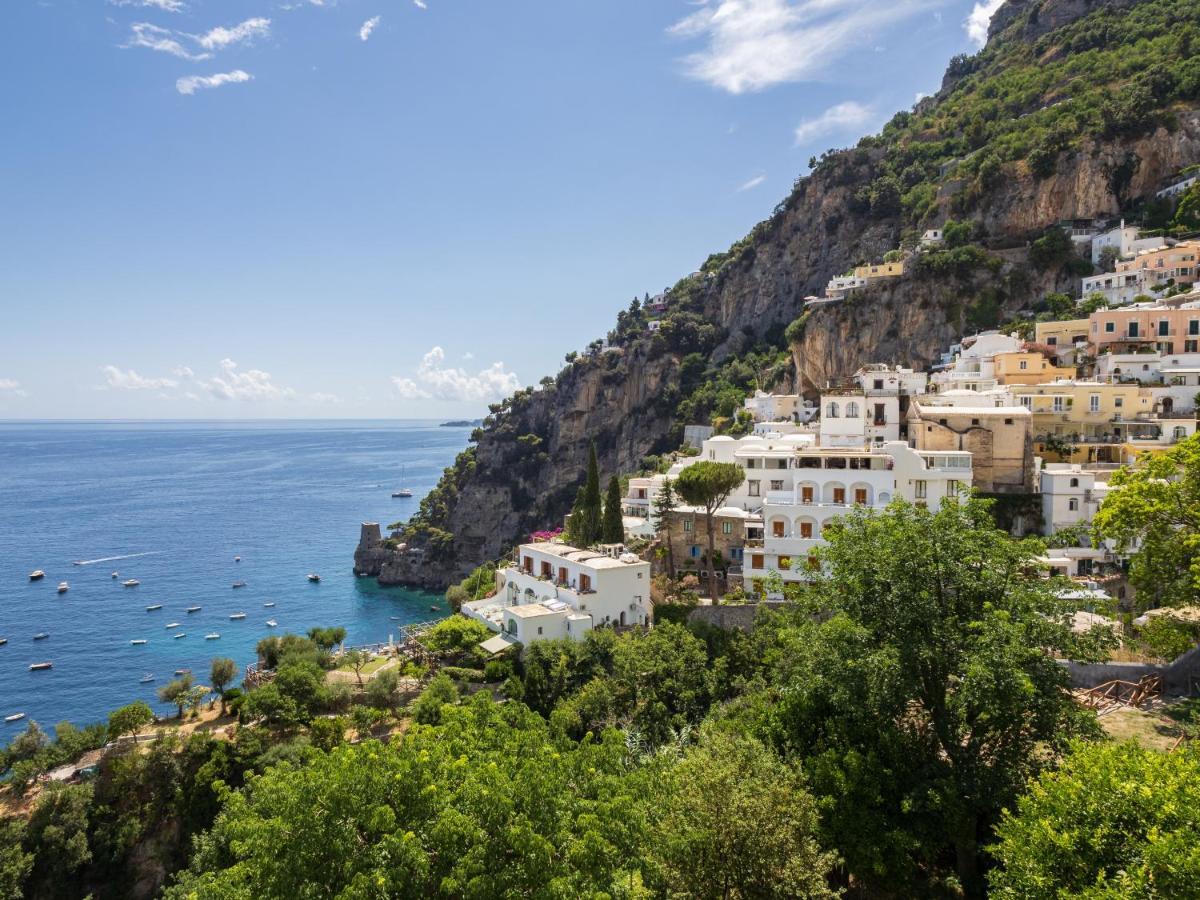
{"x":753,"y":45}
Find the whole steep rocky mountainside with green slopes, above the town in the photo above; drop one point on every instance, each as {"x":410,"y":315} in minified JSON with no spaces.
{"x":1011,"y":146}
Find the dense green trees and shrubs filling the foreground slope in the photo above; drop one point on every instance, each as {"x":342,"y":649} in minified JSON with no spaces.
{"x":869,"y":736}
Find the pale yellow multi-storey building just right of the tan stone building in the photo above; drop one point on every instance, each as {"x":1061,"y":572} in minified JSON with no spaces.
{"x":1094,"y":418}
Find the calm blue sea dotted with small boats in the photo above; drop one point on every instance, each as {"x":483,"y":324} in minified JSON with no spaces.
{"x":172,"y":505}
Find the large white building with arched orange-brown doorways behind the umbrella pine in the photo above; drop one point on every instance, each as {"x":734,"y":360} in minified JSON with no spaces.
{"x":826,"y":483}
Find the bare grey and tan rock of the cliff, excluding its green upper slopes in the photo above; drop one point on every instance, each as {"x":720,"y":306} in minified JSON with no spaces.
{"x":531,"y":455}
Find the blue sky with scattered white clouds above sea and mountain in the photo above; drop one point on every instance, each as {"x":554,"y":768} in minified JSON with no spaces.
{"x":389,"y":208}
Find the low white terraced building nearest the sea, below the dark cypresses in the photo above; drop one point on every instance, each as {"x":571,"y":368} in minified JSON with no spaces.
{"x":555,"y":591}
